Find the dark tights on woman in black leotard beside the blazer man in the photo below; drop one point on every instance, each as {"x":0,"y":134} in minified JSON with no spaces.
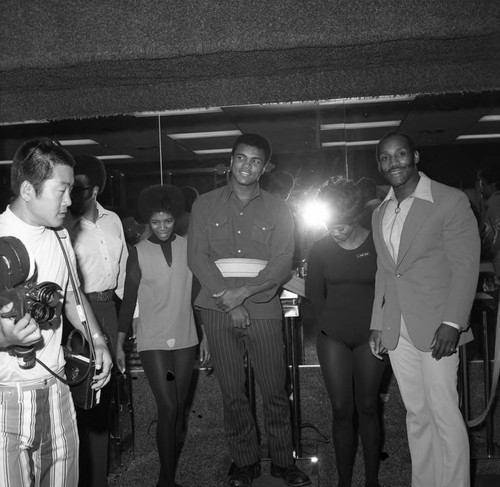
{"x":352,"y":378}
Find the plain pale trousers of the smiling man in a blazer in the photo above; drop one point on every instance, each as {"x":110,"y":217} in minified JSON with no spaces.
{"x":437,"y":435}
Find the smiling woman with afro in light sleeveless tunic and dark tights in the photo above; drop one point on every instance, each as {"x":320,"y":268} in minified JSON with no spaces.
{"x":159,"y":278}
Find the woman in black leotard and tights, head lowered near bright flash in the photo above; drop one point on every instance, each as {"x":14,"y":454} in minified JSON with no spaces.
{"x":340,"y":285}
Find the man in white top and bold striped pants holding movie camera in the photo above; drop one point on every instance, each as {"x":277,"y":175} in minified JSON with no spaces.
{"x":38,"y":433}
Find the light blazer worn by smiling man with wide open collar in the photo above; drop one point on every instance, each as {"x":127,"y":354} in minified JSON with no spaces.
{"x":435,"y":277}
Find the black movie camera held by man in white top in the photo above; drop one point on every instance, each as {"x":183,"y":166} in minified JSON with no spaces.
{"x":27,"y":296}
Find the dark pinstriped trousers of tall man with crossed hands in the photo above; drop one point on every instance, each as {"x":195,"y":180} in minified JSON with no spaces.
{"x":263,"y":340}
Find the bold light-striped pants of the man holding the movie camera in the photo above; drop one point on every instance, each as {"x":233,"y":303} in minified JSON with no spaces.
{"x":38,"y":438}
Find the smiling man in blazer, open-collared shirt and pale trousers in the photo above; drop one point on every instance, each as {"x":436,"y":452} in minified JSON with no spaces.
{"x":428,"y":248}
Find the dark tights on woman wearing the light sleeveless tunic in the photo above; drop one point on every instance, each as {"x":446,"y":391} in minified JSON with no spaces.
{"x":169,"y":375}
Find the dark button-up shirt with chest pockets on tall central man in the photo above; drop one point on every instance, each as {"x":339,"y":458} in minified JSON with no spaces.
{"x":221,"y":227}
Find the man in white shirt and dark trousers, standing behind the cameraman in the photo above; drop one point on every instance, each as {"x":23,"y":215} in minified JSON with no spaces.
{"x":101,"y":251}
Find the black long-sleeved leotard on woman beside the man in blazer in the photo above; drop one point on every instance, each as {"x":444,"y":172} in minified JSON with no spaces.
{"x":340,"y":284}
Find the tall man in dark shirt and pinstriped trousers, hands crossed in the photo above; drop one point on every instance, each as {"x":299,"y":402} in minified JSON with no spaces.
{"x":243,"y":313}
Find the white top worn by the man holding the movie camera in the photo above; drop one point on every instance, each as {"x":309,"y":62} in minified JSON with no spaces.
{"x":42,"y":244}
